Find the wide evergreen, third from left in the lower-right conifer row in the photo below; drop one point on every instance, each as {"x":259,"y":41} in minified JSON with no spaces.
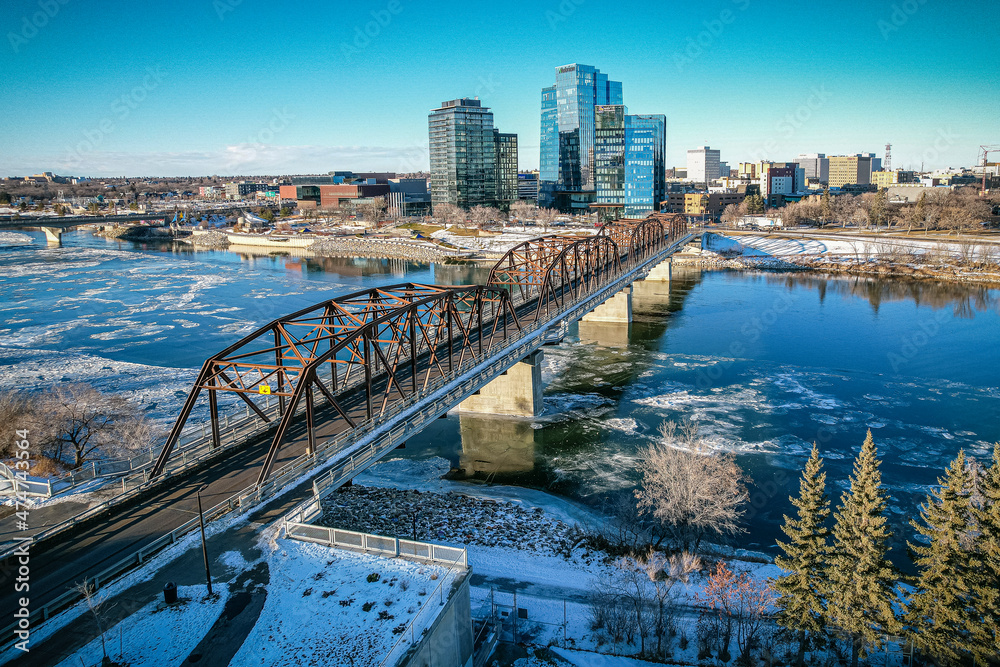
{"x":938,"y":614}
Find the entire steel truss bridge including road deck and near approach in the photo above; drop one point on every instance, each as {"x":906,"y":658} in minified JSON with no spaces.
{"x":335,"y":387}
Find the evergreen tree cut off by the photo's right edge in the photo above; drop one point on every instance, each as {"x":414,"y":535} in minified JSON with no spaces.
{"x":986,"y":578}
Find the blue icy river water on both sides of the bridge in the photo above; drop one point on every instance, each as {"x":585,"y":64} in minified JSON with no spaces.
{"x":766,"y":363}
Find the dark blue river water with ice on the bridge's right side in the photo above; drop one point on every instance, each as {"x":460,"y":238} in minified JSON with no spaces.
{"x":820,"y":368}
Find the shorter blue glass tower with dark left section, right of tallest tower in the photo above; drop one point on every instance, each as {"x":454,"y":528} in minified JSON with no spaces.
{"x":629,"y":162}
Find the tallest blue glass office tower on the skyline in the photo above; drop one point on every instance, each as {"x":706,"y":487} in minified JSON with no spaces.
{"x":566,"y":161}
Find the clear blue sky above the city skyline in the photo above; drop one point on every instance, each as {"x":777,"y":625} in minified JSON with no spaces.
{"x":250,"y":87}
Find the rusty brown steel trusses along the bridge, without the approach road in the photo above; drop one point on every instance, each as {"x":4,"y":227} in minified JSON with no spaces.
{"x":347,"y":362}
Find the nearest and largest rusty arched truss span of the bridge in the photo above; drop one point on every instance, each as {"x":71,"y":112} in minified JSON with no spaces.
{"x":359,"y":352}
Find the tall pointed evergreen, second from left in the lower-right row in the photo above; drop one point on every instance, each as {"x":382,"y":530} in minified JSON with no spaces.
{"x":862,"y":581}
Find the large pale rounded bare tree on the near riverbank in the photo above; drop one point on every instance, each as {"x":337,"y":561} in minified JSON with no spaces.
{"x":689,"y":490}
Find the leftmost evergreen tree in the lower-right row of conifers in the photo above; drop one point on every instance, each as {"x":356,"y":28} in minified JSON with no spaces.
{"x":800,"y":607}
